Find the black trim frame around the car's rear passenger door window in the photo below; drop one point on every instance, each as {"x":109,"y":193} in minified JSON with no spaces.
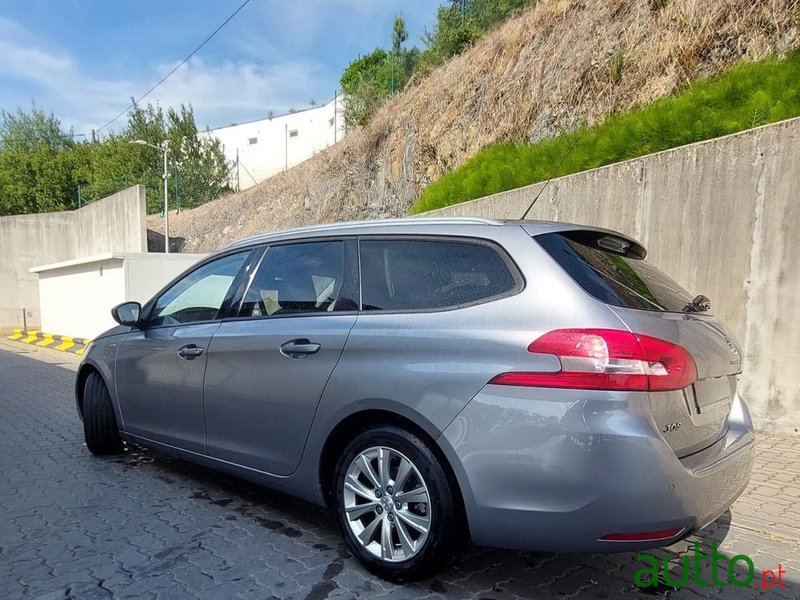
{"x":350,"y":283}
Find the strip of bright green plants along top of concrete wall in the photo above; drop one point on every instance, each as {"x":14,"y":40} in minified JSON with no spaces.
{"x":746,"y":96}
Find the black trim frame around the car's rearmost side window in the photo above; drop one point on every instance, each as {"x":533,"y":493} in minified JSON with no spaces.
{"x":516,"y":273}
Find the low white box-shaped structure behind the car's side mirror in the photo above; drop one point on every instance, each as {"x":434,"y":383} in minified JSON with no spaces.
{"x":76,"y":299}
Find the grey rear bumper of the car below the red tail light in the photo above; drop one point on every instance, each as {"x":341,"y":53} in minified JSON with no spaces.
{"x":557,"y":472}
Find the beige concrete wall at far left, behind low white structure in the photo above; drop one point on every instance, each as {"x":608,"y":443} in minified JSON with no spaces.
{"x":114,"y":224}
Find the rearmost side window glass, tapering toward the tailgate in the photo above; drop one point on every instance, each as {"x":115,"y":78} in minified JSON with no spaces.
{"x":416,"y":274}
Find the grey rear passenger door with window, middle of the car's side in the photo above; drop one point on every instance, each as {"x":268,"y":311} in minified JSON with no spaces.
{"x":267,"y":368}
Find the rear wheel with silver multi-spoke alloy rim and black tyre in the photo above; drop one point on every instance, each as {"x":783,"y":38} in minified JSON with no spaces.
{"x":415,"y":555}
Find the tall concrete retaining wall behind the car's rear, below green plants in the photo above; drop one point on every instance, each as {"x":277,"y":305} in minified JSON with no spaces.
{"x":723,"y":218}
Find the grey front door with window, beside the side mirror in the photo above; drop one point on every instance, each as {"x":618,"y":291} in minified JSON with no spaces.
{"x":160,"y":365}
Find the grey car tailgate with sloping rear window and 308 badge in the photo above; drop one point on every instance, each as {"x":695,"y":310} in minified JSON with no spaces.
{"x":648,"y":302}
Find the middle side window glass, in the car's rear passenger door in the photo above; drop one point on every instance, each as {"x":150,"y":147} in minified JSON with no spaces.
{"x":298,"y":278}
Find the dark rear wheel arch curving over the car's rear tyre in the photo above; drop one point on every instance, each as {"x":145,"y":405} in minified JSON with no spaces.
{"x":357,"y":422}
